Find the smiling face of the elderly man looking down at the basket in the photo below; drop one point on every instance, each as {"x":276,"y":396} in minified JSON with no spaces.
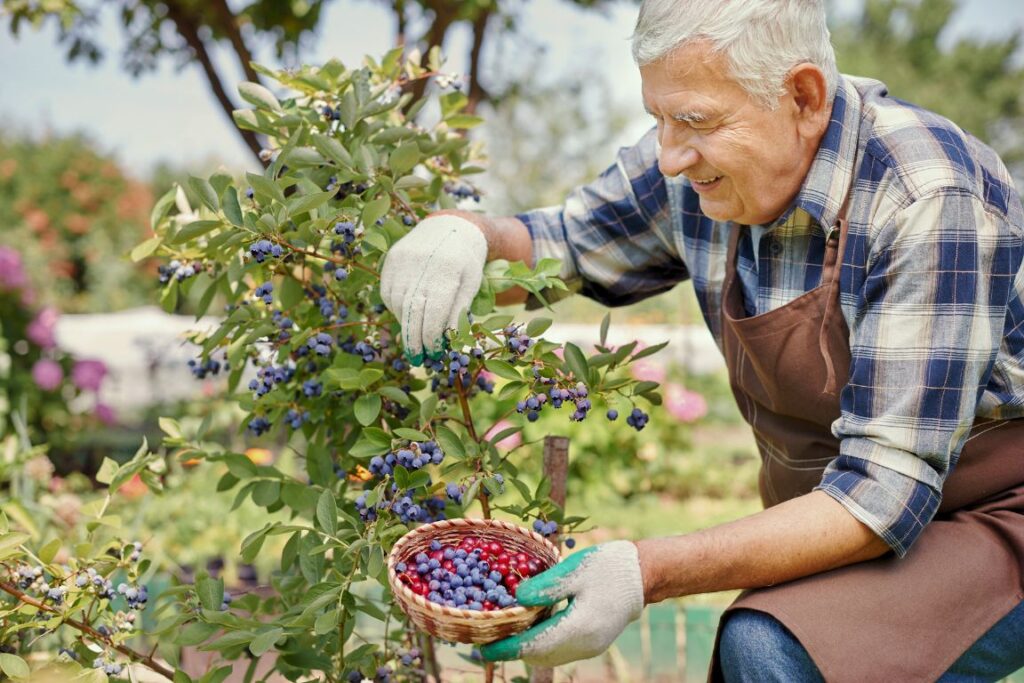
{"x":746,"y":163}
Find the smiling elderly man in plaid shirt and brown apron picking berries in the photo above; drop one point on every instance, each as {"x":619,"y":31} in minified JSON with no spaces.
{"x":859,"y":262}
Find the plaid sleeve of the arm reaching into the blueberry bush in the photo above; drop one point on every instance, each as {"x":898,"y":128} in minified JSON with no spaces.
{"x":614,"y":237}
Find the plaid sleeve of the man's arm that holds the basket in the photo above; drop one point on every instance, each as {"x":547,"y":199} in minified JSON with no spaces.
{"x":929,"y":326}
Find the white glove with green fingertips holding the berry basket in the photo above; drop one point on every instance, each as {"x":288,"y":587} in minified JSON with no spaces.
{"x":606,"y":591}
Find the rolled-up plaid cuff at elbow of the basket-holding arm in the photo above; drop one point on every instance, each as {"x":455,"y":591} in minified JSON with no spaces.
{"x":895,"y":506}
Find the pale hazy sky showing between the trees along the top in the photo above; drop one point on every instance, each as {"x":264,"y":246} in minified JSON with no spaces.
{"x":172,"y":116}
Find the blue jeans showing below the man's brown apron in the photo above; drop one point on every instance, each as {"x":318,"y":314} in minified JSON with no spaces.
{"x":757,"y":648}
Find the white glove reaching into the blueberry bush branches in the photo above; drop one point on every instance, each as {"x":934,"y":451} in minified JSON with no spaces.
{"x":430,"y":277}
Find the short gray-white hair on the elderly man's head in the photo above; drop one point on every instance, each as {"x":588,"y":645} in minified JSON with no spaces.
{"x":761,"y":39}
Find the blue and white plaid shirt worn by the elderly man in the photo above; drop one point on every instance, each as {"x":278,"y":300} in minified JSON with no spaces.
{"x":931,"y":286}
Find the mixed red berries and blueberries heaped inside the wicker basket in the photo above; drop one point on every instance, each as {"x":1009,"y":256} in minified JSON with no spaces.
{"x":478,"y":574}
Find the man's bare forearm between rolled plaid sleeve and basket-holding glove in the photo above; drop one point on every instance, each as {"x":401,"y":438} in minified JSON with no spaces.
{"x":802,"y":537}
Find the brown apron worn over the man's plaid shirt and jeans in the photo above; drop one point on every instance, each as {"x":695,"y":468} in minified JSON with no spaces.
{"x":888,"y":619}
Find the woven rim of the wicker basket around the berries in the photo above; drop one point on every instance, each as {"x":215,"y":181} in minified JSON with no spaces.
{"x":461,"y":523}
